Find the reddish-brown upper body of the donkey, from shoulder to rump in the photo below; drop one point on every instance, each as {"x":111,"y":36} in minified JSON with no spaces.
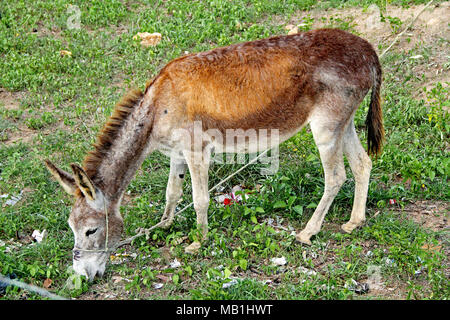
{"x":275,"y":82}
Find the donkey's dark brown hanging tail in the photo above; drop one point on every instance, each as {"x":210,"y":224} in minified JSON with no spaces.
{"x":374,"y":120}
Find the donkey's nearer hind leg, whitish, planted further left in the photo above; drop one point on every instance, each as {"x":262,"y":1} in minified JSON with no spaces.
{"x":328,"y":138}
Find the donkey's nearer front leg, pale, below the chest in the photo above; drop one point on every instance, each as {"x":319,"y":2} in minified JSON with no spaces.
{"x":198,"y":167}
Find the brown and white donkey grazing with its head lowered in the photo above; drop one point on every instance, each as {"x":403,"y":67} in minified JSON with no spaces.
{"x":281,"y":83}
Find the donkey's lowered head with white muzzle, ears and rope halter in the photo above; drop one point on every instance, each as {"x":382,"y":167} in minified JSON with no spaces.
{"x":95,"y":221}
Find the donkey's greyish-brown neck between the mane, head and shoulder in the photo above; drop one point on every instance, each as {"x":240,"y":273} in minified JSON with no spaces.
{"x":126,"y":151}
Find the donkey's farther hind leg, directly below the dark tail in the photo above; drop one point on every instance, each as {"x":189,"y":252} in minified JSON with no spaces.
{"x":361,"y":165}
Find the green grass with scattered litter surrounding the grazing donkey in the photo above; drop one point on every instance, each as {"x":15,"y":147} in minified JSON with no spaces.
{"x":65,"y":100}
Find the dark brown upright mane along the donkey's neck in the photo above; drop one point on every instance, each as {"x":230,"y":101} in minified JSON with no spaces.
{"x":108,"y":134}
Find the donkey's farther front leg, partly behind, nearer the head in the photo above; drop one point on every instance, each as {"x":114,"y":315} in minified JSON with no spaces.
{"x":174,"y":189}
